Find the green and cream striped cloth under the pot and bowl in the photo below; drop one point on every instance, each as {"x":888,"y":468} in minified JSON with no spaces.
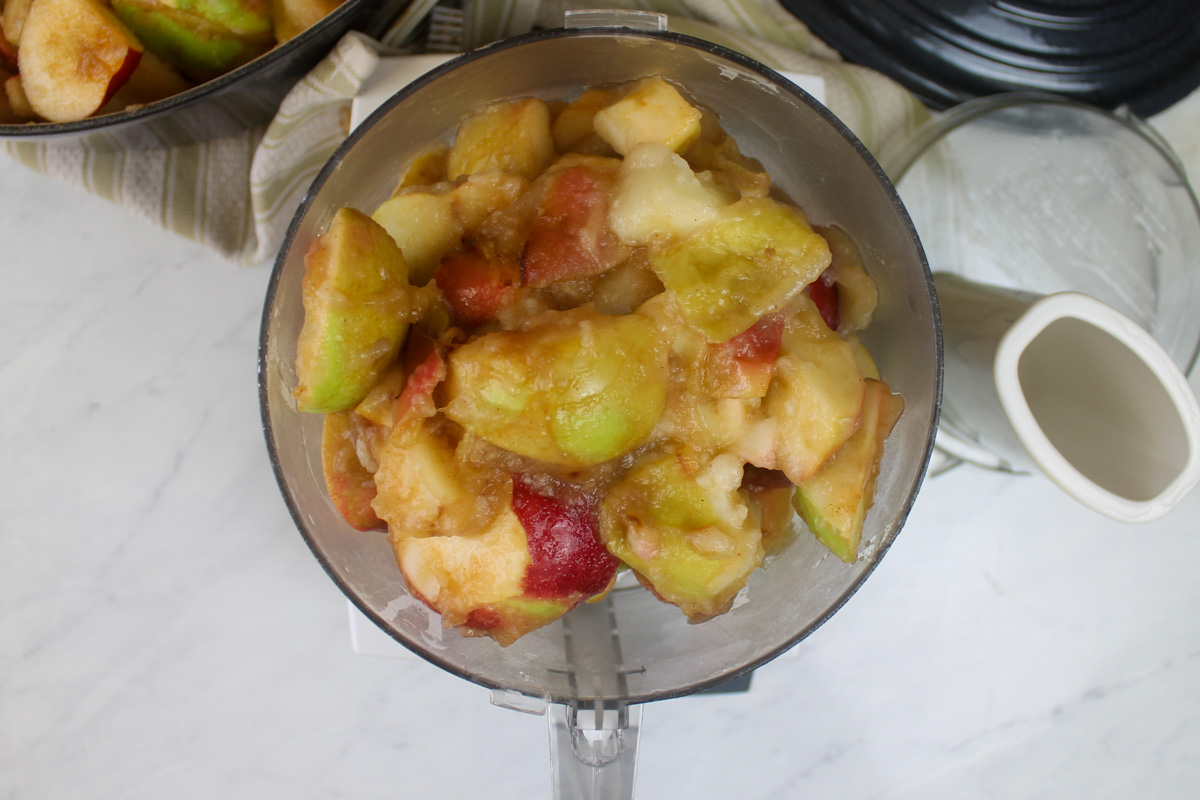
{"x":202,"y":193}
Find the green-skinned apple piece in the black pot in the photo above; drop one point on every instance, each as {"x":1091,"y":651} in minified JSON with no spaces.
{"x":202,"y":39}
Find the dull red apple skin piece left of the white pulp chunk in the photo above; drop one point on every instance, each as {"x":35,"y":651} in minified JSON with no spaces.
{"x":569,"y":237}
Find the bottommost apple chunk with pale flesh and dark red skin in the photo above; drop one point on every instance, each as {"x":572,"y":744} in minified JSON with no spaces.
{"x":536,"y":562}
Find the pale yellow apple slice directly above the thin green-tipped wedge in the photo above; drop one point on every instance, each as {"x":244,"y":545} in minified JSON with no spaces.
{"x":814,"y":401}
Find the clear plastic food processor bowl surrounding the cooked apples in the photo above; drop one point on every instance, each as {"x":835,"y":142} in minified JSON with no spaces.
{"x":629,"y":649}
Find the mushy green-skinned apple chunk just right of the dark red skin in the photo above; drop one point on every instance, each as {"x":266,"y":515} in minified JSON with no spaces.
{"x":687,"y":530}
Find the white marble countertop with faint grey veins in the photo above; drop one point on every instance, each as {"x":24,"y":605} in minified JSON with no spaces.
{"x":165,"y":633}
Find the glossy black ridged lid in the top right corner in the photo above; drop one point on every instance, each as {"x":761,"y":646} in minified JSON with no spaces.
{"x":1144,"y":55}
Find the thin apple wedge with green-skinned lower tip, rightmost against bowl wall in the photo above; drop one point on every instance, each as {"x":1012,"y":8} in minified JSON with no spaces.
{"x":835,"y":502}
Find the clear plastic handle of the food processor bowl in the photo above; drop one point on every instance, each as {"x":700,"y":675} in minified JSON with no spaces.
{"x":593,"y":751}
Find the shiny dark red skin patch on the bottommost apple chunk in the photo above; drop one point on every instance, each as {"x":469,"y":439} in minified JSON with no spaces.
{"x":568,"y":558}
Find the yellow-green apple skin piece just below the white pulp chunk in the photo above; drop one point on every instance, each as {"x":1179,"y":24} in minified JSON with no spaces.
{"x":748,"y":262}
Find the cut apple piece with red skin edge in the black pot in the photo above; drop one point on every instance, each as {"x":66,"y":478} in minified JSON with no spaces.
{"x":75,"y":55}
